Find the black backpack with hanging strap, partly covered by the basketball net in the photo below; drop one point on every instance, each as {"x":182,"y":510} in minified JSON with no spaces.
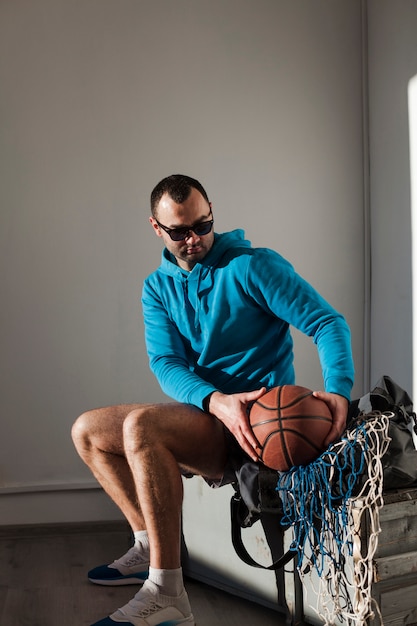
{"x":255,"y":486}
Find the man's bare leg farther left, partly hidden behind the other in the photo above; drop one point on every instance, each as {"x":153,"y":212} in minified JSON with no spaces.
{"x":98,"y":438}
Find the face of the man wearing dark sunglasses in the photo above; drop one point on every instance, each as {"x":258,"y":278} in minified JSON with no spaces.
{"x":192,"y":212}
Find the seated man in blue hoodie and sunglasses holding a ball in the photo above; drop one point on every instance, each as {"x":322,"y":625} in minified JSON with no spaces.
{"x":217,"y":315}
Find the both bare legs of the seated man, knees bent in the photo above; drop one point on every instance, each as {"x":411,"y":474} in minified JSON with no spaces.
{"x":136,"y":452}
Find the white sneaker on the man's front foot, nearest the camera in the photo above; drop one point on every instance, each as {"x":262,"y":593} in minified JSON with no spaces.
{"x":150,"y":608}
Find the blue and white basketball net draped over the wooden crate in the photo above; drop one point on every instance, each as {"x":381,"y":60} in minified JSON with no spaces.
{"x":329,"y":503}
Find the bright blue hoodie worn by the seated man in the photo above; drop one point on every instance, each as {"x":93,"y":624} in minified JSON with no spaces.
{"x":225,"y":325}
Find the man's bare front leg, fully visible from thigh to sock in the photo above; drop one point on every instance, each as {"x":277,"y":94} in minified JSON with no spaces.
{"x":159,"y":439}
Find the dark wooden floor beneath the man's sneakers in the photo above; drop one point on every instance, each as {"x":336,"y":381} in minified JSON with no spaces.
{"x":43,"y":581}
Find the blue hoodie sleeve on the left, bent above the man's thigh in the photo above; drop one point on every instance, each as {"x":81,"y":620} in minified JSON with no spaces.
{"x":168,"y":358}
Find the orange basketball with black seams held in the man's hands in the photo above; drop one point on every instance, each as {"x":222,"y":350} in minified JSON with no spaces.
{"x":290,"y":425}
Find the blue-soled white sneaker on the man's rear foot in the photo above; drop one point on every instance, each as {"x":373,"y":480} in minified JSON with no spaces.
{"x":131,"y":569}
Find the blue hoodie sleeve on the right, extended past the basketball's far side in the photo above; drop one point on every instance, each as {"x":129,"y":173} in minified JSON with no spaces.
{"x":274,"y":284}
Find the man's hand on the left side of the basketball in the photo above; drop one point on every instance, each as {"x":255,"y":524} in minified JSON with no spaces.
{"x":232,"y":411}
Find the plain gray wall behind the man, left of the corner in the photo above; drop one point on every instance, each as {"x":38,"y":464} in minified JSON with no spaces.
{"x":99,"y":100}
